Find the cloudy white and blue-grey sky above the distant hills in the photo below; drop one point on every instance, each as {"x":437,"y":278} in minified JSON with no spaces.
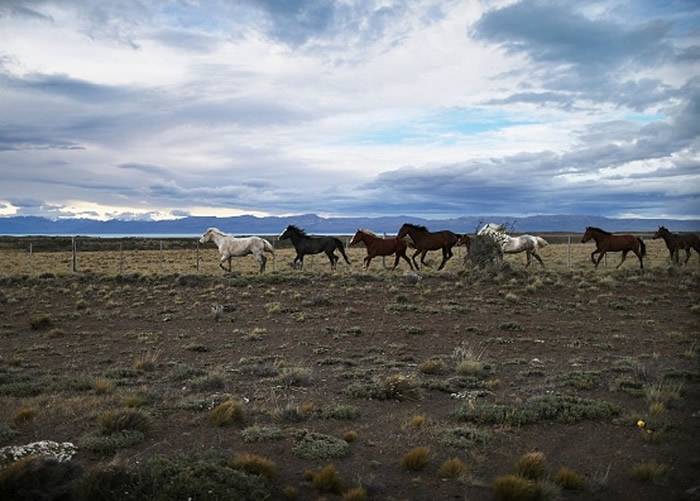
{"x":155,"y":109}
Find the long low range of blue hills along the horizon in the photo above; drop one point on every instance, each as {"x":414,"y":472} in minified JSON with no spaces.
{"x":19,"y":225}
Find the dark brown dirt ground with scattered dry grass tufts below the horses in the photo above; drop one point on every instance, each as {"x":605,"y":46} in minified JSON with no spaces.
{"x":371,"y":353}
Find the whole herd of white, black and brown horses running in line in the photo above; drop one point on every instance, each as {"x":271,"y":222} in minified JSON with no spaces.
{"x":420,"y":239}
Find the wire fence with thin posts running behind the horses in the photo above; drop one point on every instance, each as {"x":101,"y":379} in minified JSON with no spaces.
{"x":32,"y":255}
